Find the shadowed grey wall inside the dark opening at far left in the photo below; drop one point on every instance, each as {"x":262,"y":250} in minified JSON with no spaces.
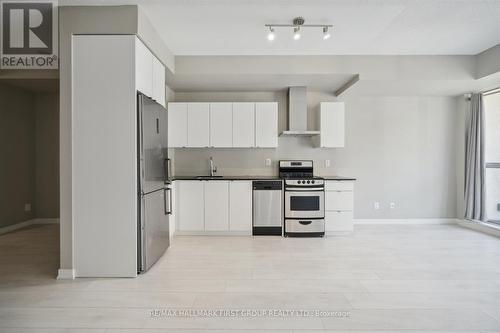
{"x":29,"y":139}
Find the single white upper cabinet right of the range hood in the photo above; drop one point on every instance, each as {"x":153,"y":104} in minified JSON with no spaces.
{"x":332,"y":125}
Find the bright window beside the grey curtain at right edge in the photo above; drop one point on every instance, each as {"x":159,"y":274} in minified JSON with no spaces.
{"x":492,"y":155}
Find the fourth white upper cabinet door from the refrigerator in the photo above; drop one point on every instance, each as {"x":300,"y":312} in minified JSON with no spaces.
{"x":243,"y":125}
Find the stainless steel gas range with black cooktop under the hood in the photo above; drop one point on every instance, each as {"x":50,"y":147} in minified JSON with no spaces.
{"x":304,"y":199}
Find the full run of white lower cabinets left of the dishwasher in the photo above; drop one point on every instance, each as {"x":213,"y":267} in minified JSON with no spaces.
{"x":213,"y":206}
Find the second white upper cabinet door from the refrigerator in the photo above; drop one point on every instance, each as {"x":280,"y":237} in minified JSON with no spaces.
{"x":198,"y":125}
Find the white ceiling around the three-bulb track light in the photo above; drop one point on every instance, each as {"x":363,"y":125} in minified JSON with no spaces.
{"x":236,"y":27}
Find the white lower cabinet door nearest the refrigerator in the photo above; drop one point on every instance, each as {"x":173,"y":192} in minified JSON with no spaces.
{"x":191,"y":203}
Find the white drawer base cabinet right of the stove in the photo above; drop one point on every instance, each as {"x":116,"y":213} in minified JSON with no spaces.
{"x":339,"y":206}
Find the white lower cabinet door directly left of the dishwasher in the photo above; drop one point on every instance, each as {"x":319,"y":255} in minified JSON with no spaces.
{"x":240,"y":206}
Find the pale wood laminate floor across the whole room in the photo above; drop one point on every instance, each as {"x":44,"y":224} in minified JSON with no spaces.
{"x":388,"y":278}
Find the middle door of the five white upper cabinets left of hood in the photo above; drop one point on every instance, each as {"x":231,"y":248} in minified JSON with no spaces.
{"x":221,"y":124}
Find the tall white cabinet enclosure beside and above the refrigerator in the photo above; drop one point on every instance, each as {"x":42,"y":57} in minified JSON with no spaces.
{"x":107,"y":72}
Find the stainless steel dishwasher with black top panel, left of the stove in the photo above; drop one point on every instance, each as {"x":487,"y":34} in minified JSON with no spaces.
{"x":267,"y":207}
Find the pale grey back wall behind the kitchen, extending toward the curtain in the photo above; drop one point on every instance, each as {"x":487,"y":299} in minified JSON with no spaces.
{"x":401,"y":149}
